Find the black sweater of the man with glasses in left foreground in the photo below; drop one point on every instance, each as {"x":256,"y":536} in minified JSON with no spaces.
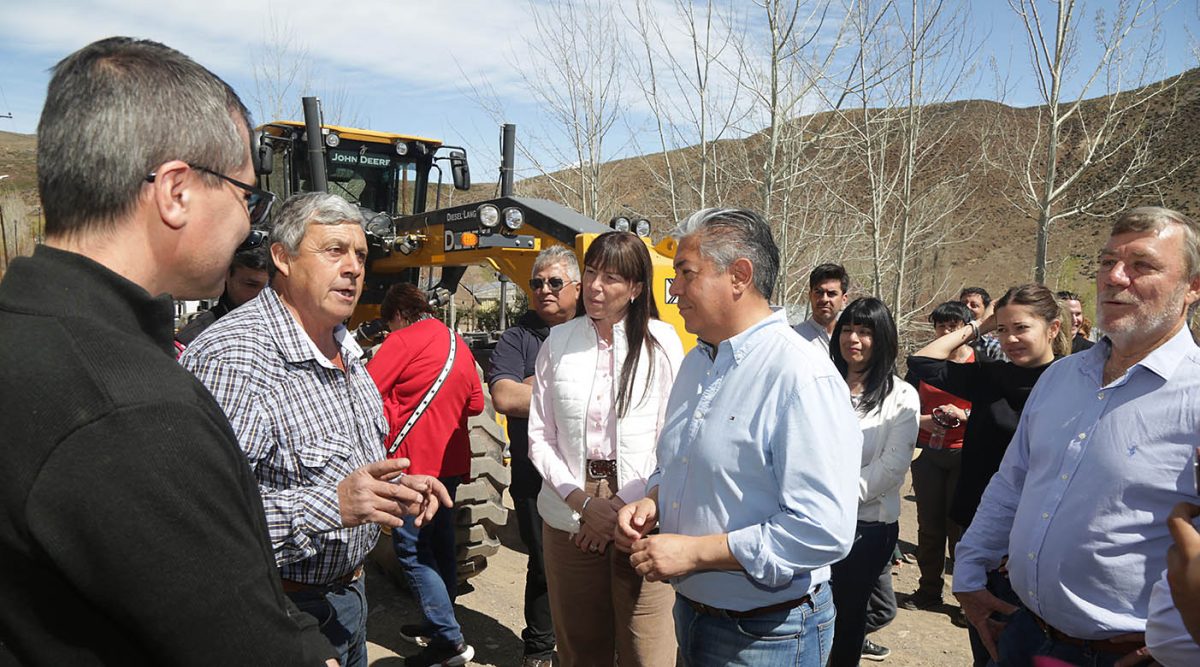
{"x":131,"y":530}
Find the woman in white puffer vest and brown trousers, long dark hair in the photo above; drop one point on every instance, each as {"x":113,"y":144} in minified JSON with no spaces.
{"x":601,"y":390}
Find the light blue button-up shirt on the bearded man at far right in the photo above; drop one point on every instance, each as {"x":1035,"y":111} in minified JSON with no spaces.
{"x":1082,"y":498}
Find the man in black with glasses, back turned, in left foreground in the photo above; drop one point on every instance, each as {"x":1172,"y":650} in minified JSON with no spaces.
{"x":131,"y":530}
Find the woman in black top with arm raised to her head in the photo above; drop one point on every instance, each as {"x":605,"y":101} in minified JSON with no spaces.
{"x":1028,"y":322}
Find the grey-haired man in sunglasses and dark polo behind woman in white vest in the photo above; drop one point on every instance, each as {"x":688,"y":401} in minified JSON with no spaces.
{"x":556,"y":292}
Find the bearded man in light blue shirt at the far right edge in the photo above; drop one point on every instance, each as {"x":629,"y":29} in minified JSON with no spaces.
{"x":1102,"y":454}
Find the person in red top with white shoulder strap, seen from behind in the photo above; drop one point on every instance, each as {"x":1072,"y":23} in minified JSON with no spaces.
{"x":430,"y":388}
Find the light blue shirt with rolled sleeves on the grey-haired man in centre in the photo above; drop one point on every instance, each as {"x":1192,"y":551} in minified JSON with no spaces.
{"x":760,"y":442}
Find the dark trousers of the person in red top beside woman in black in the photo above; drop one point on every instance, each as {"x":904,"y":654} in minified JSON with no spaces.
{"x":935,"y":476}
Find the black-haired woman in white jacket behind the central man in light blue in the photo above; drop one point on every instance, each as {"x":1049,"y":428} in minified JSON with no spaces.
{"x":865,"y":348}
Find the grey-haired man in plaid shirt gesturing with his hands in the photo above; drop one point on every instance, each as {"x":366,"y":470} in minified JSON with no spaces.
{"x":310,"y":419}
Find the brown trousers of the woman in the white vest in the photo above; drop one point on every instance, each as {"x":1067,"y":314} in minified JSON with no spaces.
{"x":602,"y":608}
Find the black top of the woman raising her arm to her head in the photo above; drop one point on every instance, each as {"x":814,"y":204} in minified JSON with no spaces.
{"x":998,"y":392}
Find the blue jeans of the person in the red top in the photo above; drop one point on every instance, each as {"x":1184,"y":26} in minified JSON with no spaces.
{"x":427,"y":555}
